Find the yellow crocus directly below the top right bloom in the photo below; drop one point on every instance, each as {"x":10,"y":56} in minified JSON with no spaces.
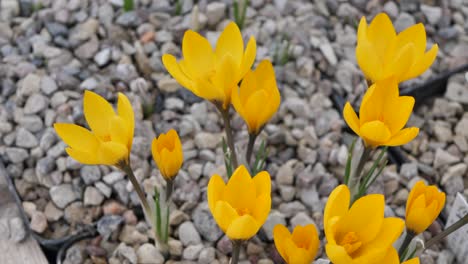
{"x":382,"y":116}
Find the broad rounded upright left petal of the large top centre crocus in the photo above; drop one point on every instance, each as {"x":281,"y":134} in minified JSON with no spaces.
{"x":198,"y":54}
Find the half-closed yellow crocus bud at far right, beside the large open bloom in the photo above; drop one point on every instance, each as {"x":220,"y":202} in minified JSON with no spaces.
{"x":423,"y":206}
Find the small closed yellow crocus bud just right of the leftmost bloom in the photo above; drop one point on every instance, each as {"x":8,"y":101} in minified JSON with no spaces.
{"x":167,"y":153}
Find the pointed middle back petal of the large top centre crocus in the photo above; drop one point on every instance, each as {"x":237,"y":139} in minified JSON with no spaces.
{"x":230,"y":42}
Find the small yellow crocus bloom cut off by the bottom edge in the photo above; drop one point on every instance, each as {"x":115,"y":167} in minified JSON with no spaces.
{"x":300,"y":247}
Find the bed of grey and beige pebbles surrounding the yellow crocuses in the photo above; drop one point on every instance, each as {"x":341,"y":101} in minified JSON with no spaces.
{"x":51,"y":51}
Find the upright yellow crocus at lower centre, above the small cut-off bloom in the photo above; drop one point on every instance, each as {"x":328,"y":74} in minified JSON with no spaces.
{"x":241,"y":206}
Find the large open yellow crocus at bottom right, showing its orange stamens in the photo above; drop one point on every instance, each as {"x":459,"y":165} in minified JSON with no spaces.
{"x":359,"y":234}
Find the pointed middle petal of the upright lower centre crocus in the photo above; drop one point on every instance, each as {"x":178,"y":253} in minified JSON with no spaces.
{"x":240,"y":183}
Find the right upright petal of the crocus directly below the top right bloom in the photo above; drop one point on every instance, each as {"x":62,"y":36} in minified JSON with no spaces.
{"x":396,"y":116}
